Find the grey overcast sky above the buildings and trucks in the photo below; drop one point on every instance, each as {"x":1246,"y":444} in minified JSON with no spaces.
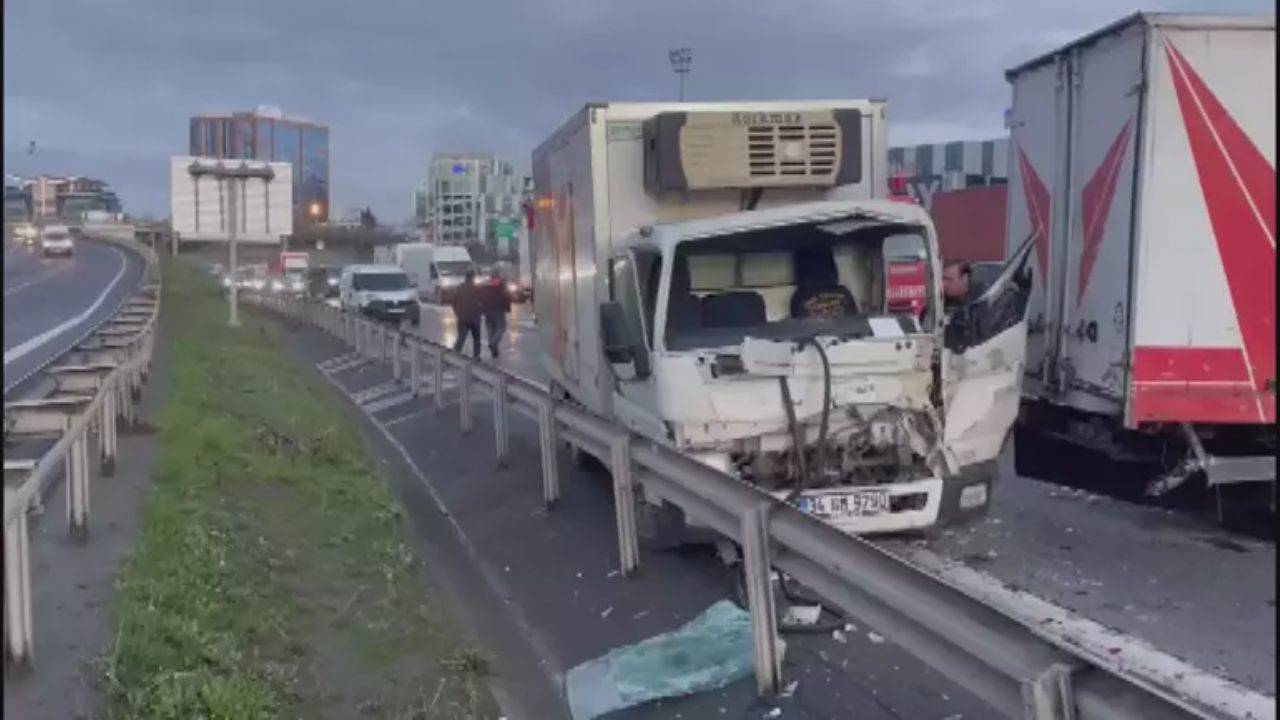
{"x":106,"y":88}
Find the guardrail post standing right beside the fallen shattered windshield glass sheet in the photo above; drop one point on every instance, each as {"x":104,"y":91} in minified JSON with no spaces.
{"x":760,"y":596}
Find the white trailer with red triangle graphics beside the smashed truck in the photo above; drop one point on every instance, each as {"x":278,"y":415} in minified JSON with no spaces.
{"x":1144,"y":166}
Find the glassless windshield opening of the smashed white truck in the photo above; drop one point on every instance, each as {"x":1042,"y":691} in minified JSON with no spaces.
{"x":797,"y":281}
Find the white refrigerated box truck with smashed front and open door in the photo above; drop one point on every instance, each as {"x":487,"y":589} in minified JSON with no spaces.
{"x":717,"y":277}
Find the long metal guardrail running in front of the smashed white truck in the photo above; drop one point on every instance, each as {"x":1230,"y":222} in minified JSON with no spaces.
{"x":1008,"y":663}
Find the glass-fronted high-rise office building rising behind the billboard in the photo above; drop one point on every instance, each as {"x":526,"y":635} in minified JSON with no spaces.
{"x":269,"y":135}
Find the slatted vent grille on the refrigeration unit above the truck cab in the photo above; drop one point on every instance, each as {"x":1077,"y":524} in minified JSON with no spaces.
{"x":793,"y":152}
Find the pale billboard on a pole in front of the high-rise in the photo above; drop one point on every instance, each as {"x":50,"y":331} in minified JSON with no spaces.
{"x":202,"y":202}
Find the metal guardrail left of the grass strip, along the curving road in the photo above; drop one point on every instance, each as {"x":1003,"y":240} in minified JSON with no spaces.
{"x":92,"y":397}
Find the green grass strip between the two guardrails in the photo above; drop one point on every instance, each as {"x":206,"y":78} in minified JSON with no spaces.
{"x":271,"y":578}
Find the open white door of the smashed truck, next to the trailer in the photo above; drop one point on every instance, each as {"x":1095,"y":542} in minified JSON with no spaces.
{"x":985,"y":350}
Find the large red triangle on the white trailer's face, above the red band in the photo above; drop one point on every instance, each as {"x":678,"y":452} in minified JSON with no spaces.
{"x":1240,"y":192}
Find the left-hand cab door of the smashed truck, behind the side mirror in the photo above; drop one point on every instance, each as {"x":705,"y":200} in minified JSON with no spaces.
{"x":634,"y":277}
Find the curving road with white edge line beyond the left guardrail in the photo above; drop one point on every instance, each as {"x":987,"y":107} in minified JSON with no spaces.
{"x":51,"y":303}
